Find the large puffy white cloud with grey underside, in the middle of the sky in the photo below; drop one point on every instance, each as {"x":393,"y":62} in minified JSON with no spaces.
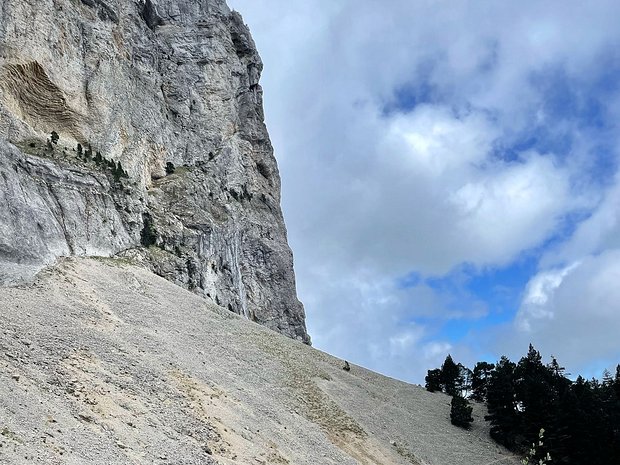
{"x":427,"y":194}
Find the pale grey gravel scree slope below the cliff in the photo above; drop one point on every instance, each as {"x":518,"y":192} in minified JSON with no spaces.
{"x":102,"y":362}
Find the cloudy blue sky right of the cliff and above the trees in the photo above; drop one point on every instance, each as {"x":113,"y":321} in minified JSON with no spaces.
{"x":450,"y":175}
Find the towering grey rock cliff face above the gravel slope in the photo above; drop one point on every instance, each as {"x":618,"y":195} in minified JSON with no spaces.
{"x":136,"y":128}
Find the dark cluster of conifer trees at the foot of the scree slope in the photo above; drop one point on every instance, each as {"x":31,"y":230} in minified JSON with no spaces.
{"x":580,"y":419}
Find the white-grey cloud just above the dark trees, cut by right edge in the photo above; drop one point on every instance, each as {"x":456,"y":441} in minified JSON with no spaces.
{"x":574,"y":313}
